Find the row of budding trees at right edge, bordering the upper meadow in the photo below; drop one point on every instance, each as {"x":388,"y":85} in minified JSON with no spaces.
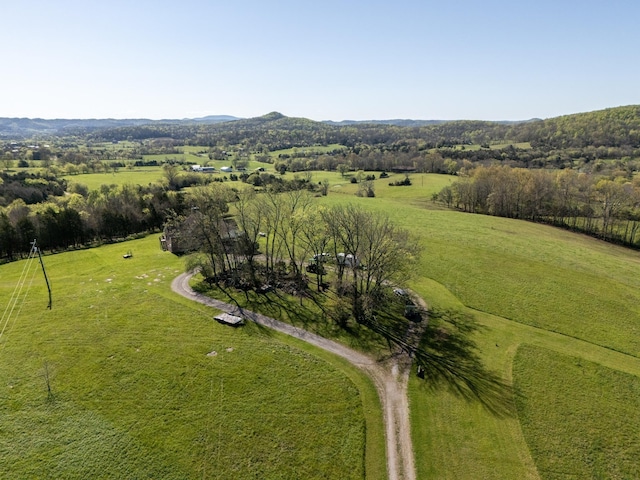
{"x":608,"y":208}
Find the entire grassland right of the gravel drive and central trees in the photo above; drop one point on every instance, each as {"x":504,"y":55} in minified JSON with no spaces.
{"x":526,"y":284}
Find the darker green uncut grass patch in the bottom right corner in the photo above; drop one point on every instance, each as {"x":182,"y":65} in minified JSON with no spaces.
{"x":553,"y":422}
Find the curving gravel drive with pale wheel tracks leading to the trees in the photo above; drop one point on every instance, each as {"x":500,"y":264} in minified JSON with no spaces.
{"x":390,"y":379}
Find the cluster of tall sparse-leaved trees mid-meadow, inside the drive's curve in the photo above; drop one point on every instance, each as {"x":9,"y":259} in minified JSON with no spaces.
{"x":275,"y":239}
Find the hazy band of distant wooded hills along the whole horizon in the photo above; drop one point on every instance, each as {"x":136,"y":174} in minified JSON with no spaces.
{"x":617,"y":127}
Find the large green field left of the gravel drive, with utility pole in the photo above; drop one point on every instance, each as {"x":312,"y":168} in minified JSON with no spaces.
{"x":134,"y":393}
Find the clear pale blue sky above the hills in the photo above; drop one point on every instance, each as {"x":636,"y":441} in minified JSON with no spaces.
{"x":458,"y":59}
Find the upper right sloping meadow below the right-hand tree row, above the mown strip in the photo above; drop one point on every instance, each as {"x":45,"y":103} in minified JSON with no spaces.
{"x":533,"y":274}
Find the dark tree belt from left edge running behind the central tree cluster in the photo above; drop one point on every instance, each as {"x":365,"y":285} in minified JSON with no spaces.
{"x":63,"y":216}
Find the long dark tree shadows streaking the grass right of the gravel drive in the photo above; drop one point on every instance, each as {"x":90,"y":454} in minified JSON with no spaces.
{"x":448,"y":358}
